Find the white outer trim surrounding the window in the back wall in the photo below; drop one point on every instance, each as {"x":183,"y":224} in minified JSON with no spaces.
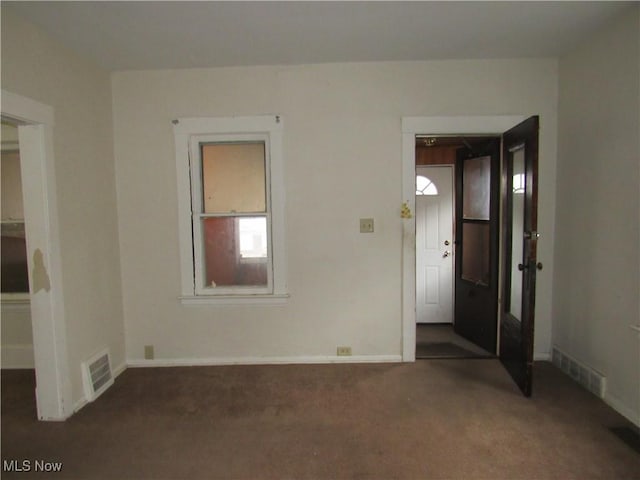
{"x":269,"y":127}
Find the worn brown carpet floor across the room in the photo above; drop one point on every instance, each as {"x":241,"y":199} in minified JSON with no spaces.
{"x":433,"y":419}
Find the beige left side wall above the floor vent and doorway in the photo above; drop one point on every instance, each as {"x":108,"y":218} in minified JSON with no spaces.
{"x":36,"y":66}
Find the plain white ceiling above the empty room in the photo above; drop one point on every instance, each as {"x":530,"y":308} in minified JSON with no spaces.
{"x":125,"y":35}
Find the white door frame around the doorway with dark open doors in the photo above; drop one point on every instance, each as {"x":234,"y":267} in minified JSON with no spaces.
{"x":439,"y":125}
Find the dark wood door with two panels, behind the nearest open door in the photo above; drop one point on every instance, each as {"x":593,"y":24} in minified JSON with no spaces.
{"x":477,"y":242}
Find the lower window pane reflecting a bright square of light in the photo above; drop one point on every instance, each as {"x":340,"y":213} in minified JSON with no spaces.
{"x":235,"y":251}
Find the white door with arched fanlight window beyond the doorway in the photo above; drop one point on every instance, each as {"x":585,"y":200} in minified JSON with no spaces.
{"x":434,"y":244}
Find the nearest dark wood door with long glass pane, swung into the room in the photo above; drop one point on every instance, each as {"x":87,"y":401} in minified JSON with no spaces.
{"x":520,"y":219}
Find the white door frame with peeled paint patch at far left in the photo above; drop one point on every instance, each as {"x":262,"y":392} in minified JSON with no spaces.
{"x":35,"y":130}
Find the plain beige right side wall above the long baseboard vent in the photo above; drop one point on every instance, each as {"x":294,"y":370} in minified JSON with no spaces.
{"x":597,"y":245}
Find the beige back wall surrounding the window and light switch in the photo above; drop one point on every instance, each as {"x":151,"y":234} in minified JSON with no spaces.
{"x":342,"y":144}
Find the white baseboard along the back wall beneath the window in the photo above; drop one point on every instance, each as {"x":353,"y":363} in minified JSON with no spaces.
{"x":215,"y":361}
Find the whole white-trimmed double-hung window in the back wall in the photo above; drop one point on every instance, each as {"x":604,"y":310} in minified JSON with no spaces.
{"x":231,"y":207}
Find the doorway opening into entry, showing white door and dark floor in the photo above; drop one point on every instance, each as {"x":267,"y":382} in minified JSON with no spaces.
{"x":437,"y":332}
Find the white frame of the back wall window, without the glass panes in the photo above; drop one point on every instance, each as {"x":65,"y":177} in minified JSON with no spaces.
{"x":189,"y":134}
